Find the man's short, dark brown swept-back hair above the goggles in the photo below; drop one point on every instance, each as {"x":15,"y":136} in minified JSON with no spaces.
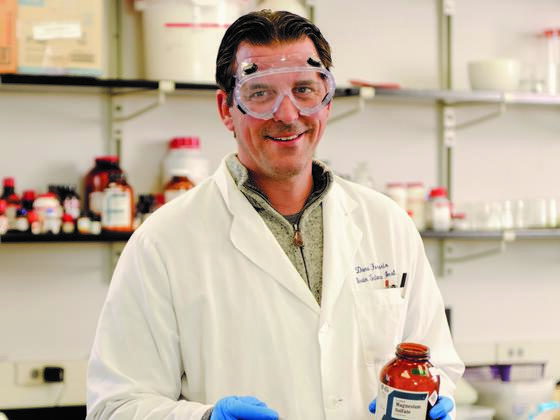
{"x":264,"y":27}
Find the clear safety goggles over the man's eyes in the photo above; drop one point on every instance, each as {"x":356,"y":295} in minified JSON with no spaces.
{"x":262,"y":83}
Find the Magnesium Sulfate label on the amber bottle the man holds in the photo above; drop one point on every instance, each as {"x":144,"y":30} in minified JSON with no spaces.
{"x":397,"y":404}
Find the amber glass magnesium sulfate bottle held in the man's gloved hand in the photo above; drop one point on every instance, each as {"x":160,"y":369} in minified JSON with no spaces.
{"x":408,"y":384}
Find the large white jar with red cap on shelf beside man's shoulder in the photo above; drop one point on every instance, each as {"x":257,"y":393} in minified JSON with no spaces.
{"x":184,"y":155}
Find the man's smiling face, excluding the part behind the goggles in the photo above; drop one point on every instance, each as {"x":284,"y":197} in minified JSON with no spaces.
{"x":281,"y":147}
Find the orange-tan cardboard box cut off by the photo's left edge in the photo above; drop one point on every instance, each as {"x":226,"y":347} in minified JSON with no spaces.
{"x":8,"y":48}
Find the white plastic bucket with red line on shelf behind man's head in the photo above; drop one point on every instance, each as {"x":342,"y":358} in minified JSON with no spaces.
{"x":181,"y":37}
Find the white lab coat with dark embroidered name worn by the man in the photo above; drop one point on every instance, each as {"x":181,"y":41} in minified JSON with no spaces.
{"x":205,"y":304}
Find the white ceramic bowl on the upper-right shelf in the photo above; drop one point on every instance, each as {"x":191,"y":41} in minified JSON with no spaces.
{"x":494,"y":74}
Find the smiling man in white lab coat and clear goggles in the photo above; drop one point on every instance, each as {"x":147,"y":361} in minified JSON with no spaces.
{"x":272,"y":289}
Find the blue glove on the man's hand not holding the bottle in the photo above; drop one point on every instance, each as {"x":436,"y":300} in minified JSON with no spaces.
{"x":246,"y":408}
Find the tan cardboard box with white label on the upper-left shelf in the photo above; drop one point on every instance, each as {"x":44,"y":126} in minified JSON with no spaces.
{"x":60,"y":37}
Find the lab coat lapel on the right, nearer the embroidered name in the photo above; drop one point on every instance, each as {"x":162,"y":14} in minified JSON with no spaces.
{"x":342,"y":238}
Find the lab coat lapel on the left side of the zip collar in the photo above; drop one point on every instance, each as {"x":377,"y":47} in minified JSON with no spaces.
{"x":252,"y":237}
